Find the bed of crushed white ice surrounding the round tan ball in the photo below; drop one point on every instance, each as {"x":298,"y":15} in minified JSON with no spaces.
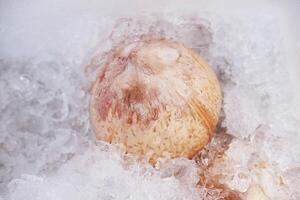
{"x":46,"y":145}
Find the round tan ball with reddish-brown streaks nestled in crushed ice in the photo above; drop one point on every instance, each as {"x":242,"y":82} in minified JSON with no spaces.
{"x":155,"y":98}
